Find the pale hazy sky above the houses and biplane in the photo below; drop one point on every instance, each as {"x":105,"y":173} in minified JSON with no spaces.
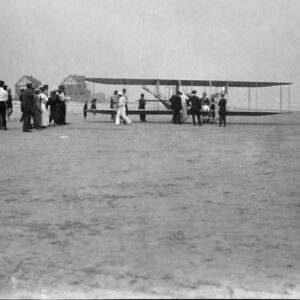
{"x":188,"y":39}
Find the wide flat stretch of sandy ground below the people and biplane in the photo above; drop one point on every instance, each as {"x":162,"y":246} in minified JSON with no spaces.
{"x":151,"y":209}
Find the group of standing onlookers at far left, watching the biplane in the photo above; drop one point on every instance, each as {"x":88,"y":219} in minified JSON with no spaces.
{"x":39,"y":110}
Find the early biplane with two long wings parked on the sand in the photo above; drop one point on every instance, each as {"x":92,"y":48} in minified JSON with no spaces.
{"x":220,"y":86}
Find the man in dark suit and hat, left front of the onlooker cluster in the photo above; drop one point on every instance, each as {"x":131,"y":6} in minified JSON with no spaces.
{"x":27,"y":107}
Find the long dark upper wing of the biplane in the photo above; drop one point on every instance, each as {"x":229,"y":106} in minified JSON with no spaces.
{"x":214,"y":83}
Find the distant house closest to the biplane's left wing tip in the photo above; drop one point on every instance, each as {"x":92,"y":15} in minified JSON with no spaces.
{"x":76,"y":88}
